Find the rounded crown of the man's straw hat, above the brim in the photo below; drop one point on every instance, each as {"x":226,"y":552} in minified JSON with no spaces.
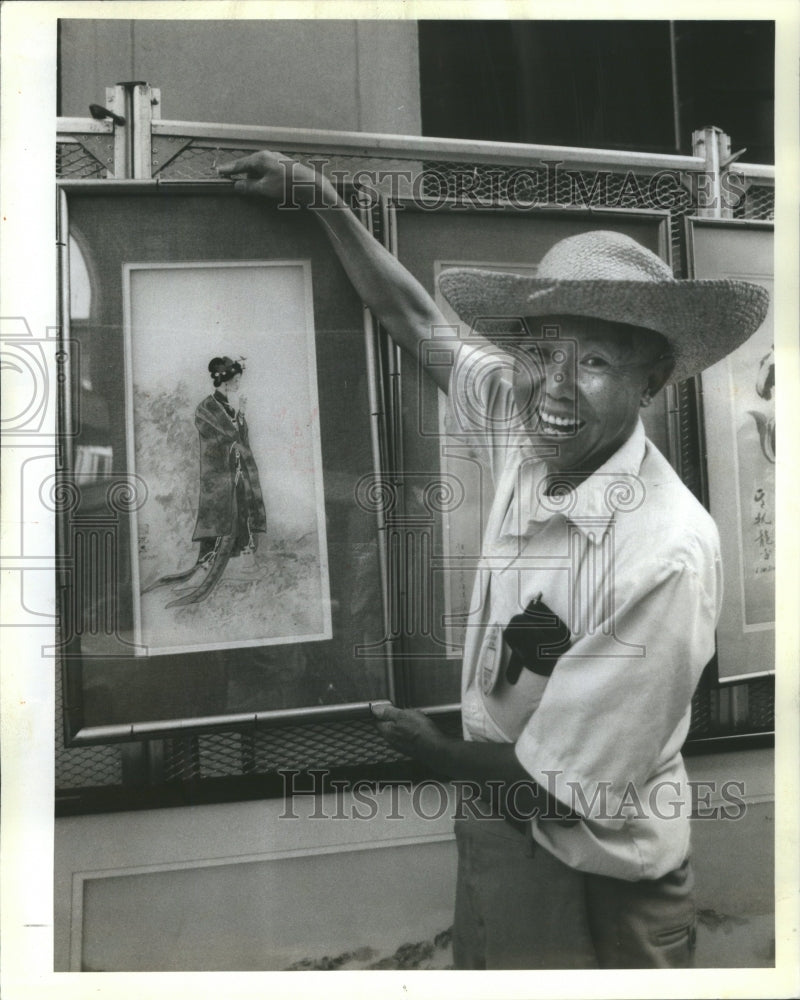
{"x":602,"y":256}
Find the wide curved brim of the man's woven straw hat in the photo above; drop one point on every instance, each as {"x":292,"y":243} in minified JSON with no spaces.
{"x":703,"y":320}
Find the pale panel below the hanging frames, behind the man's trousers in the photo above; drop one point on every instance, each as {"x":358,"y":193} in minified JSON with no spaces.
{"x":238,"y":886}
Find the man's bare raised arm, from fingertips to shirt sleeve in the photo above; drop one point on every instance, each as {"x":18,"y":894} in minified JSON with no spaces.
{"x":396,"y":298}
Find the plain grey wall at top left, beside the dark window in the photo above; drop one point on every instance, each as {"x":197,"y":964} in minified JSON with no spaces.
{"x":348,"y":75}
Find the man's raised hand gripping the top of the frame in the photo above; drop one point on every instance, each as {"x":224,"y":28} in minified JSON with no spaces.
{"x":274,"y":175}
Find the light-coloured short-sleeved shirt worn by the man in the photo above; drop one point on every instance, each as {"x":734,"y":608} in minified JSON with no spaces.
{"x":629,"y":560}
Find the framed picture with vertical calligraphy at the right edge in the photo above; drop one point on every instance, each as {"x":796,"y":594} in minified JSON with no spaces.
{"x":739,"y":408}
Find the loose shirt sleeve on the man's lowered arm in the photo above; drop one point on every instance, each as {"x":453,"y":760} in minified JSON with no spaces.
{"x":611,"y":717}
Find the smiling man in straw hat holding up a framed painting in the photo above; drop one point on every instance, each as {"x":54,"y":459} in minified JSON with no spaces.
{"x":596,"y":597}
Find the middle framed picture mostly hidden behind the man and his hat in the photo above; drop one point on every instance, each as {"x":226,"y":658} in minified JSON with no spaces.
{"x":427,"y":243}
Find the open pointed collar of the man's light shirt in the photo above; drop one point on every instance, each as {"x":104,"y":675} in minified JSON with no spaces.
{"x":592,"y":504}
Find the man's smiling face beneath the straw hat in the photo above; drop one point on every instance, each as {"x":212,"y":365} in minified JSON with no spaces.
{"x":578,"y":385}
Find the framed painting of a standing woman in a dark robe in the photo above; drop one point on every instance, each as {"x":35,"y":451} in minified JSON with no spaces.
{"x":216,"y":567}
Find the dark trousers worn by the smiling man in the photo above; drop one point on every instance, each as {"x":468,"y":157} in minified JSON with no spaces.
{"x":519,"y":907}
